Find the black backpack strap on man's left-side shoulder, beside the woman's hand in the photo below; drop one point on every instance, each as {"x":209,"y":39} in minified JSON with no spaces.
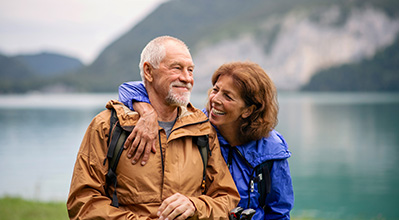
{"x":116,"y":139}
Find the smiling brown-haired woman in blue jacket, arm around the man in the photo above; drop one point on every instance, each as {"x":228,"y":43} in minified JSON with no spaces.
{"x":243,"y":108}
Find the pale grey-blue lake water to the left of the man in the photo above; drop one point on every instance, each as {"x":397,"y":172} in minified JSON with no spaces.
{"x":39,"y":139}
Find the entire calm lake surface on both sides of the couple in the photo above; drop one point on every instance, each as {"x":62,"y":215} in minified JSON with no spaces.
{"x":344,"y":163}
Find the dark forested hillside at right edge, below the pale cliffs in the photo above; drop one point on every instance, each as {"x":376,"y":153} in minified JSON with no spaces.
{"x":379,"y":73}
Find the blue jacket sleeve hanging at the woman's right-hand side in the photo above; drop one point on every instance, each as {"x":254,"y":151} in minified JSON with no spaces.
{"x":281,"y":198}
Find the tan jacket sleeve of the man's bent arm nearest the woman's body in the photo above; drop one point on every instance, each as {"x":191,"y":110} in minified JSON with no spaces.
{"x":221,"y":193}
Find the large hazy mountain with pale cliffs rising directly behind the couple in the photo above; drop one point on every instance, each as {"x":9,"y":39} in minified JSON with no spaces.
{"x":291,"y":40}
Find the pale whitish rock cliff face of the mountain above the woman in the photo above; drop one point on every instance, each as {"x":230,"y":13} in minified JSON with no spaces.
{"x":294,"y":45}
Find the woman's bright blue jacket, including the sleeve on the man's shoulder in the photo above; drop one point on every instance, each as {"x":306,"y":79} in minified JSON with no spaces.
{"x":280,"y":200}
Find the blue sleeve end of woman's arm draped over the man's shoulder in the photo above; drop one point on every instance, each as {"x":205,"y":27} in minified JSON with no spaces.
{"x":133,"y":91}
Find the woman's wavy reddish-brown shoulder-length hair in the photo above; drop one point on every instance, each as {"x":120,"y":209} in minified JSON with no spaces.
{"x":257,"y":89}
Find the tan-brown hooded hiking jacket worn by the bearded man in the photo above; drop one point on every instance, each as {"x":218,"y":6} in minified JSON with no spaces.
{"x":178,"y":168}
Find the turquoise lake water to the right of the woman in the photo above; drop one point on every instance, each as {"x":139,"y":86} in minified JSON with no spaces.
{"x":345,"y":154}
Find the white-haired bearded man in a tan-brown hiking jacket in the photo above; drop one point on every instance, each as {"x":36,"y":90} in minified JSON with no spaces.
{"x":170,"y":185}
